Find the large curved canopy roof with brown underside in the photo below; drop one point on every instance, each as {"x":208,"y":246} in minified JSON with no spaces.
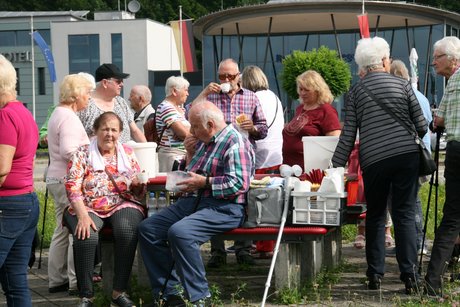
{"x":317,"y":16}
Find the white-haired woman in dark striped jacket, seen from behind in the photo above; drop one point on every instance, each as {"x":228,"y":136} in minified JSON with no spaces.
{"x":388,"y":155}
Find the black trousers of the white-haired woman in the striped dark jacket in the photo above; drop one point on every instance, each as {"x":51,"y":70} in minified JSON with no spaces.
{"x":397,"y":175}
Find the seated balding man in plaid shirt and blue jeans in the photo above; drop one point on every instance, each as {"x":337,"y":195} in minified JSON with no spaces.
{"x":172,"y":238}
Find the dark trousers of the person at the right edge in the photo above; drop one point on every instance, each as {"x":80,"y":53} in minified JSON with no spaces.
{"x":449,"y":229}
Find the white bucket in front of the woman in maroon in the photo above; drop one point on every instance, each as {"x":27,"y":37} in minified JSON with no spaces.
{"x":318,"y":151}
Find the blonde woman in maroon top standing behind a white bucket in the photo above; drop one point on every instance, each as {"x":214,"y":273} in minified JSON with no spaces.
{"x":313,"y":117}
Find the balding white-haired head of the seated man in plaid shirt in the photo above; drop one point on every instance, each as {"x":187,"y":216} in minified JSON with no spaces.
{"x":206,"y":120}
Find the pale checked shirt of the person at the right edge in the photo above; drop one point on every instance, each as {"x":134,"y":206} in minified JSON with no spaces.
{"x":449,"y":108}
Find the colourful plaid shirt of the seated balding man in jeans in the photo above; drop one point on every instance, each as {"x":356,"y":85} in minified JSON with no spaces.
{"x":229,"y":160}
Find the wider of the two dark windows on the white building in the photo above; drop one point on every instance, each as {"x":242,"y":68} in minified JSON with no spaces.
{"x":83,"y":53}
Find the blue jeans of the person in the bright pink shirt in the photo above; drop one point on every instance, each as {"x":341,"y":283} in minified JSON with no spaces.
{"x":18,"y":223}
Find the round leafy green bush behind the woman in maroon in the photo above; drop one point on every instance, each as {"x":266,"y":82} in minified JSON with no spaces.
{"x":326,"y":62}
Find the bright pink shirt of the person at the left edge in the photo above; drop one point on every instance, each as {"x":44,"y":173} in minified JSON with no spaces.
{"x":18,"y":129}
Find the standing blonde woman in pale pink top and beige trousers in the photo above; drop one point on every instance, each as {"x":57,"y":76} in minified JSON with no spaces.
{"x":65,"y":134}
